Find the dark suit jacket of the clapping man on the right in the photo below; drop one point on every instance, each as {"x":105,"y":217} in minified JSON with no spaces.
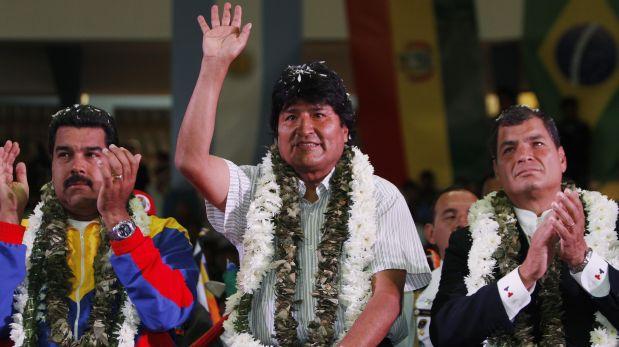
{"x":461,"y":320}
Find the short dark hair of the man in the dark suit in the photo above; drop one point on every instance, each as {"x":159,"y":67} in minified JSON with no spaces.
{"x":516,"y":115}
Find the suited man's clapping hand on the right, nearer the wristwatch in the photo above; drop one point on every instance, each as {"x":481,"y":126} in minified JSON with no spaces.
{"x":570,"y":226}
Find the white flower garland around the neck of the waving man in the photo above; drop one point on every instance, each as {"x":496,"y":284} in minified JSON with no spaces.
{"x":259,"y":249}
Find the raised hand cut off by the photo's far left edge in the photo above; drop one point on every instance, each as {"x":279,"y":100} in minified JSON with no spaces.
{"x":13,"y":190}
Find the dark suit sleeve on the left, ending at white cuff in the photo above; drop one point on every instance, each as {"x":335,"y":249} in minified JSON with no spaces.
{"x":458,"y":319}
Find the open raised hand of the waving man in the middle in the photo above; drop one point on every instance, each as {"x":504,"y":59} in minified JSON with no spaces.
{"x":224,"y":39}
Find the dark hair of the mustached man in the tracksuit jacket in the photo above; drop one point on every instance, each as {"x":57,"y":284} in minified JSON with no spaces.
{"x":83,"y":116}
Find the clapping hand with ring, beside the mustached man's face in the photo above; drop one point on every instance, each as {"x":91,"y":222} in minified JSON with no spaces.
{"x":119,"y":169}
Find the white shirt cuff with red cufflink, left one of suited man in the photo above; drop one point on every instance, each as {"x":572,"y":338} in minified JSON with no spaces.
{"x":513,"y":293}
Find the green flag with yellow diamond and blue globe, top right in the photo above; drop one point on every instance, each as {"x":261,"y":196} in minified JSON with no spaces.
{"x":571,"y":50}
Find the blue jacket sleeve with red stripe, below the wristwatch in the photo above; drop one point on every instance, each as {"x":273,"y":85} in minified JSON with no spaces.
{"x":159,"y":275}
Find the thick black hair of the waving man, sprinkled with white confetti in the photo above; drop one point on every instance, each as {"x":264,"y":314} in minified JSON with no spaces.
{"x":313,"y":83}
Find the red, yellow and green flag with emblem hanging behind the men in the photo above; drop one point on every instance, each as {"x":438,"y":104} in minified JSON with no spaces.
{"x":417,"y":76}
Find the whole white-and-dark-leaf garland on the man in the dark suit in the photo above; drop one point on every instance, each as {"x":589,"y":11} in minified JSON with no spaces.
{"x":496,"y":241}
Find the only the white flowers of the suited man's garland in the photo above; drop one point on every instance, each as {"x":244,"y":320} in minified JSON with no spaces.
{"x":601,"y":237}
